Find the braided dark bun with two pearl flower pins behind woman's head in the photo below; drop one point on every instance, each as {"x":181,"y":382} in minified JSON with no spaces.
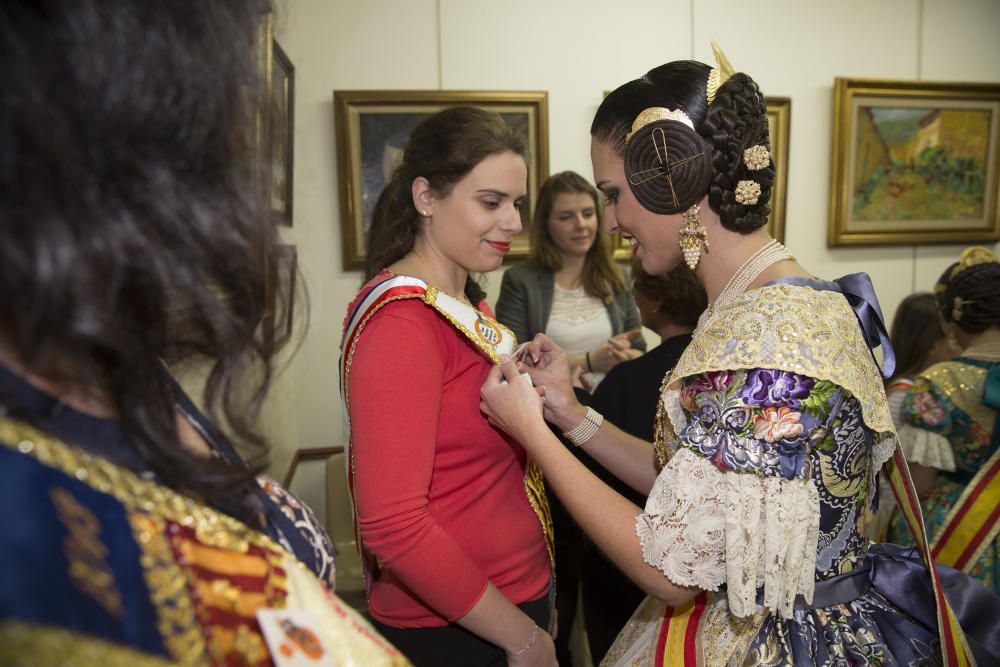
{"x":737,"y":120}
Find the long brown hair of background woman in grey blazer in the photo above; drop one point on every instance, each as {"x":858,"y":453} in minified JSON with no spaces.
{"x":601,"y":276}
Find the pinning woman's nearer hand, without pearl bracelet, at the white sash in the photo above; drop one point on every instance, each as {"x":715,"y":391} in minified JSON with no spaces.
{"x":510,"y":402}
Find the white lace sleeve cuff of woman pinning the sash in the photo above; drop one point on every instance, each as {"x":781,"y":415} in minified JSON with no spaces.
{"x":702,"y":527}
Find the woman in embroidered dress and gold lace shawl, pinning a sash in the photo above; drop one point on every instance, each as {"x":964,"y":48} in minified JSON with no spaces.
{"x":771,"y":427}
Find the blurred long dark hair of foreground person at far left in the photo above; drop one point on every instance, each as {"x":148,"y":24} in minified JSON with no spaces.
{"x":132,"y":231}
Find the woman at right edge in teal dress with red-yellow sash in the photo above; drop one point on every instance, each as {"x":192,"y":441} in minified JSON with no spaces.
{"x":953,"y":405}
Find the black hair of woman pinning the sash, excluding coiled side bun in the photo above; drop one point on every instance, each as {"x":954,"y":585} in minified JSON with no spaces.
{"x":735,"y":121}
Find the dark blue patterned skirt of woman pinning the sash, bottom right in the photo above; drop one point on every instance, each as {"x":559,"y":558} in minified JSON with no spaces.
{"x":883,"y":614}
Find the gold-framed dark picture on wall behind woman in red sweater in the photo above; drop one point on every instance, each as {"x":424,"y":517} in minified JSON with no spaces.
{"x":372,"y":127}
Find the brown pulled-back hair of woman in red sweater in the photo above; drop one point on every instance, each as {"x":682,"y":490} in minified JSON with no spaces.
{"x":443,"y":148}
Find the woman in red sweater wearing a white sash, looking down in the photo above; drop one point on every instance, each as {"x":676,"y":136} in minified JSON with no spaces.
{"x":451,"y":518}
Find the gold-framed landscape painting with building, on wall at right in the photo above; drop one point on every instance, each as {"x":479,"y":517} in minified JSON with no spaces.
{"x":914,"y":162}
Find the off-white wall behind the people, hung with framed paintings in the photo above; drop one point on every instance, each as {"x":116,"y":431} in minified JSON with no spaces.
{"x":575,"y":50}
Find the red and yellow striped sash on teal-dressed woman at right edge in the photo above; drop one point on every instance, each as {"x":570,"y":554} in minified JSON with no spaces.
{"x":973,"y":522}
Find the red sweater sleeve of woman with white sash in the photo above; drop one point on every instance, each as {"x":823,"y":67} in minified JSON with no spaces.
{"x":396,"y":375}
